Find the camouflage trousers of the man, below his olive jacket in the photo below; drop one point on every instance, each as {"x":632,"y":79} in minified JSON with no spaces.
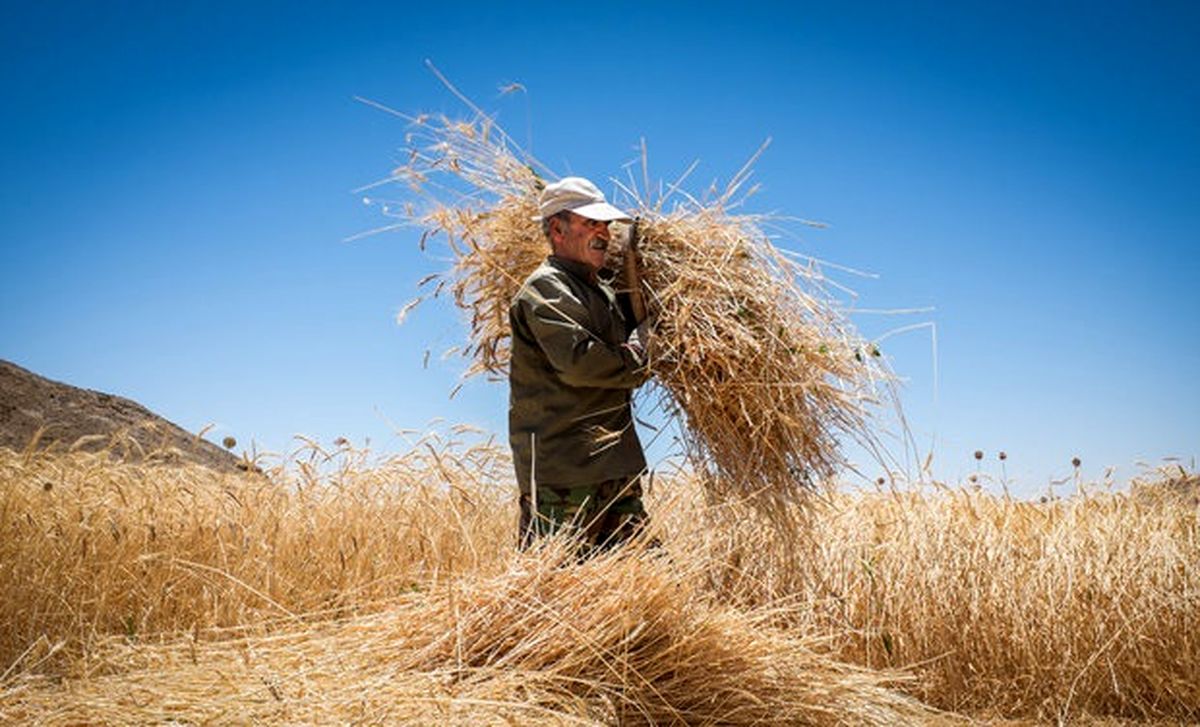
{"x":603,"y":515}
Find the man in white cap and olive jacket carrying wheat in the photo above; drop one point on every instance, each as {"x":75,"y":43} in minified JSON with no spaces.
{"x":574,"y":368}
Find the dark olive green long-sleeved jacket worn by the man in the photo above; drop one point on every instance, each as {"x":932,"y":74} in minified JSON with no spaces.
{"x":572,"y":377}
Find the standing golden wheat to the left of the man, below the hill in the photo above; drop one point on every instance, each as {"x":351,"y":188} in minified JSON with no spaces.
{"x":92,"y":548}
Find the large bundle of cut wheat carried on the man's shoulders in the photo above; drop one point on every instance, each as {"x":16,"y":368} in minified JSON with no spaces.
{"x":758,"y":364}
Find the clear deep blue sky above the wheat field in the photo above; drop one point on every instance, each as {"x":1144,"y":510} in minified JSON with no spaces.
{"x":178,"y":187}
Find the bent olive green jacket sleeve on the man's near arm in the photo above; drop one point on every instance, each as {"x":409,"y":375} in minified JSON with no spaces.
{"x":562,"y":326}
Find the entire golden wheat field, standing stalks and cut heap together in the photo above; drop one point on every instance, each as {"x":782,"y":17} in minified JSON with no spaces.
{"x":392,"y":592}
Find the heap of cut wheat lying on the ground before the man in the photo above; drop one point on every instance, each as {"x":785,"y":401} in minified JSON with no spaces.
{"x":620,"y":640}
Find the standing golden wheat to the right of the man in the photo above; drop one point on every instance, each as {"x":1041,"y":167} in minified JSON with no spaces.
{"x":1000,"y":606}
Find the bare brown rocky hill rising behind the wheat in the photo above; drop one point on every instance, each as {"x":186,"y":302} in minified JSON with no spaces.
{"x":71,"y":417}
